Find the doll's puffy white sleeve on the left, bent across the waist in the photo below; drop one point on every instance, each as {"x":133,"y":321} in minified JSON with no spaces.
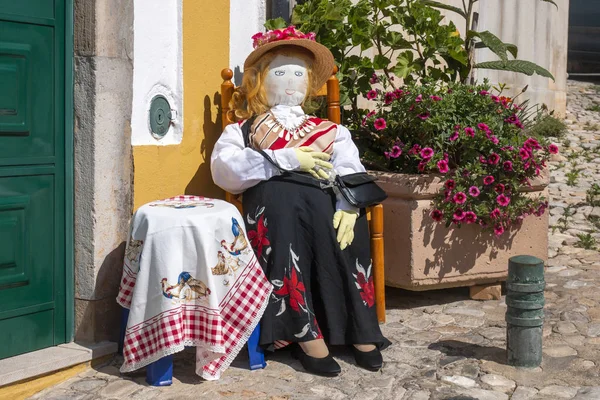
{"x":236,"y":168}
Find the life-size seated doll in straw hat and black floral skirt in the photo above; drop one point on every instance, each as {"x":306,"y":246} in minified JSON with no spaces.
{"x":313,"y":247}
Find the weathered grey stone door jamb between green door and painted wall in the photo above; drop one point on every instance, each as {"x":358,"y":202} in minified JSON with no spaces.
{"x":103,"y":161}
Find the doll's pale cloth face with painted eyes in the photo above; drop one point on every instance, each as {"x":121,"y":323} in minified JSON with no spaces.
{"x":287,"y":81}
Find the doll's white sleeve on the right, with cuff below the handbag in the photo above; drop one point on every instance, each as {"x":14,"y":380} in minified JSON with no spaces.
{"x":345,"y":161}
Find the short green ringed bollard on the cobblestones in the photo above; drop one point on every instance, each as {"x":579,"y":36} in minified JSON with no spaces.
{"x":525,"y":311}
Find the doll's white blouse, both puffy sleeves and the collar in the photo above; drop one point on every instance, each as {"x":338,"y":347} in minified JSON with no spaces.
{"x":236,"y":168}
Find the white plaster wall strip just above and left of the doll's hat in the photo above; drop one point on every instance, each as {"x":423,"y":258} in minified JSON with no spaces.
{"x":247,"y":17}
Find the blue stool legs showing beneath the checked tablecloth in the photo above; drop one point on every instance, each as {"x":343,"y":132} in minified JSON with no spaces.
{"x":160,"y":373}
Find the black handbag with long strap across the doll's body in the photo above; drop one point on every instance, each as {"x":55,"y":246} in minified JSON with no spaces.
{"x":359,"y":189}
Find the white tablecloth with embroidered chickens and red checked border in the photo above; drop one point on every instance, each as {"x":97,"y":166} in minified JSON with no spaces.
{"x":190,"y":278}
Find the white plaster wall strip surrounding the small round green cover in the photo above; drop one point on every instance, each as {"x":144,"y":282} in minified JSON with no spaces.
{"x":157,"y":67}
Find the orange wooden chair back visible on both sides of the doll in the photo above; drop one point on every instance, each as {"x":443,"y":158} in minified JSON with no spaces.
{"x":331,"y":90}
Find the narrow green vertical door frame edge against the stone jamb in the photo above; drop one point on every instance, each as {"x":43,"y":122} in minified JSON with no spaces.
{"x":69,"y":173}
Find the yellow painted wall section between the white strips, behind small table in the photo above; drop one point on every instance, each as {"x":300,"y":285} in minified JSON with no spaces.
{"x":166,"y":171}
